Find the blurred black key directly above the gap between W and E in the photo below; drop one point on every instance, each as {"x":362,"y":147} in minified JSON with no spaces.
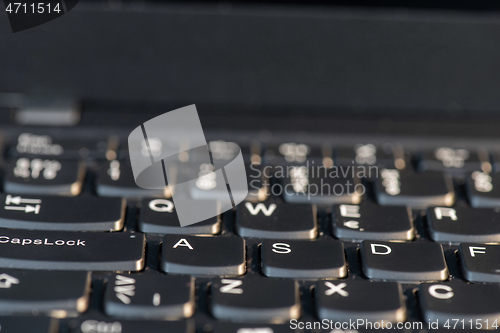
{"x":319,"y":185}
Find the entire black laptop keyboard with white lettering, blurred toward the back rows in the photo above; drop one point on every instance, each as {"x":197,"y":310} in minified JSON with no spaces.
{"x":83,"y":249}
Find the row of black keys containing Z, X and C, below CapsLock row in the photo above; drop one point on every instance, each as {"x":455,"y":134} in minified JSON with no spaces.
{"x":249,"y":299}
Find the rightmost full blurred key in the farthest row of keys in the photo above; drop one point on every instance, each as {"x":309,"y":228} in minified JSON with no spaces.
{"x":454,"y":160}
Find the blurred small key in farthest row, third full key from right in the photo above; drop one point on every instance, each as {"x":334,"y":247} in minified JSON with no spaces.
{"x":292,"y":153}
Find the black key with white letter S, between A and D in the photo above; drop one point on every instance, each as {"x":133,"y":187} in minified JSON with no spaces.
{"x":302,"y":259}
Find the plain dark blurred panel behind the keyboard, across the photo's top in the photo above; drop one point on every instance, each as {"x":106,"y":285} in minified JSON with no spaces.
{"x":427,"y":57}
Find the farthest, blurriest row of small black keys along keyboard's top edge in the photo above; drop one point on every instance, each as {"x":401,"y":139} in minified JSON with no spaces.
{"x":386,"y":155}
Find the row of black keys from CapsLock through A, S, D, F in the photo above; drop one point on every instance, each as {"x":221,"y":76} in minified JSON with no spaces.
{"x":226,"y":256}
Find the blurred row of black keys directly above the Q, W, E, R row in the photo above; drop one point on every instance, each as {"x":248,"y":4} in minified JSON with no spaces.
{"x":295,"y":184}
